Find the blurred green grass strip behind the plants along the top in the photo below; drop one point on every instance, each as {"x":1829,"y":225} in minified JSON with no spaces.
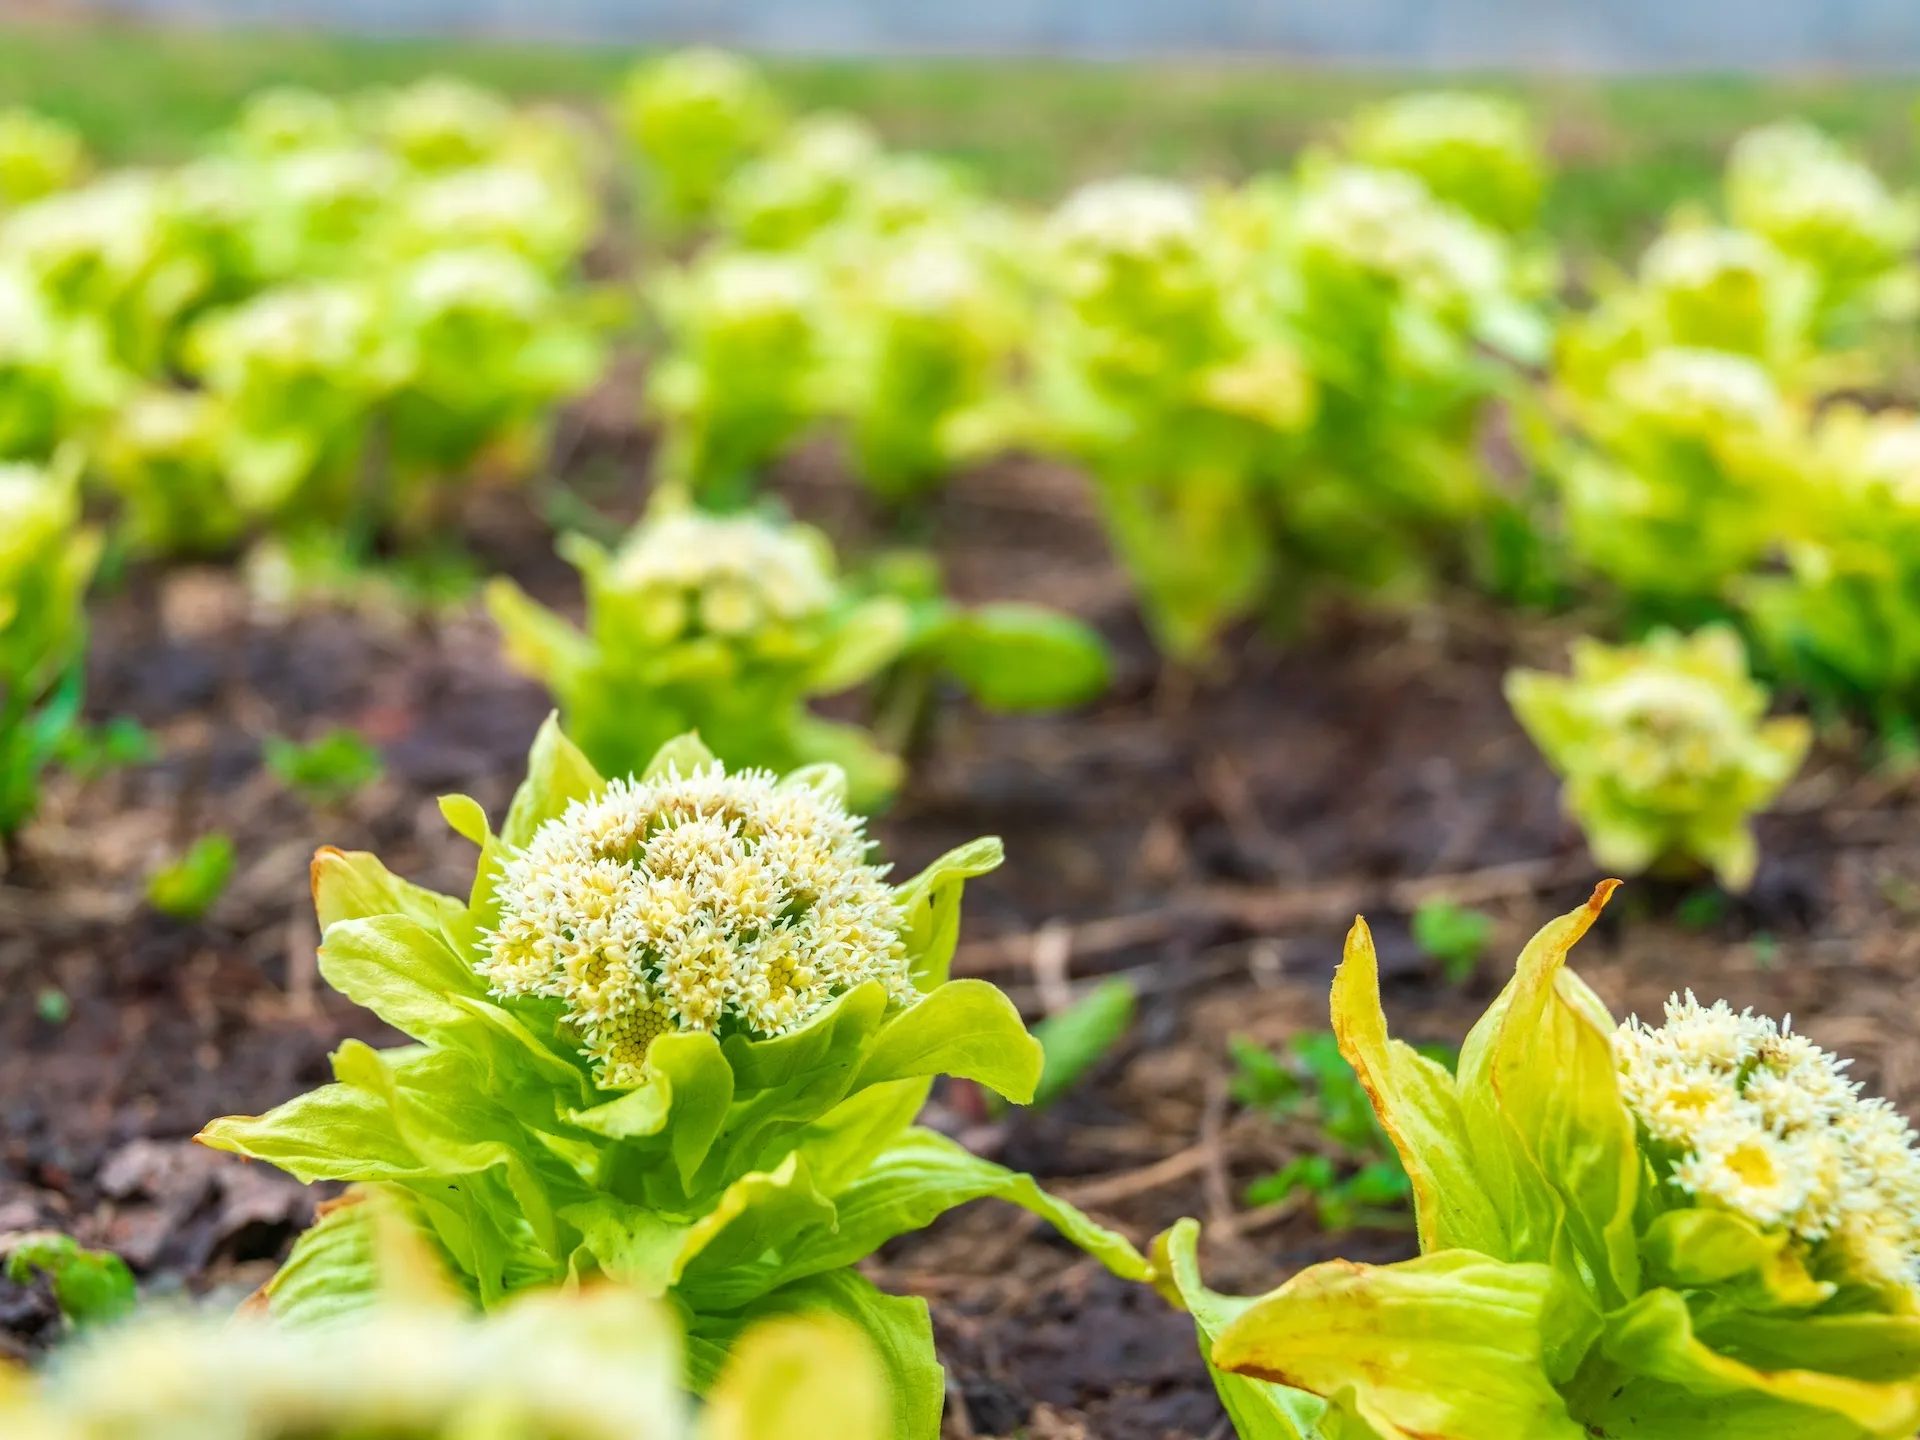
{"x":1627,"y":149}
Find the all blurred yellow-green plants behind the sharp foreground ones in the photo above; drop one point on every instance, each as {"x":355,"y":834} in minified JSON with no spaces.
{"x":1358,"y":379}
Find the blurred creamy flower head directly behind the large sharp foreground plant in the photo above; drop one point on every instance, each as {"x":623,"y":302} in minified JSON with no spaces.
{"x":727,"y":575}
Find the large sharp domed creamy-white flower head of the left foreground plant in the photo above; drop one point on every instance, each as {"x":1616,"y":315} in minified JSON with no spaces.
{"x":698,"y":903}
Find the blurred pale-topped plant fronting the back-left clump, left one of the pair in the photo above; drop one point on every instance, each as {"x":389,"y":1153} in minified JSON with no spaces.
{"x":299,"y":373}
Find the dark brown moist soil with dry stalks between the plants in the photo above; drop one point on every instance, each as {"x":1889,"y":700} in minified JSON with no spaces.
{"x":1212,"y":840}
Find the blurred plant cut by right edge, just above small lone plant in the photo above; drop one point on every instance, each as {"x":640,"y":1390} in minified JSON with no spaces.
{"x":1844,"y":621}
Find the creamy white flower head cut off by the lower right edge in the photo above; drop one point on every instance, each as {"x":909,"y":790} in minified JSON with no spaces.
{"x":1767,"y":1124}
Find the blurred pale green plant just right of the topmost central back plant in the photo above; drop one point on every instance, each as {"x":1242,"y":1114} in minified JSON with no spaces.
{"x":807,"y":181}
